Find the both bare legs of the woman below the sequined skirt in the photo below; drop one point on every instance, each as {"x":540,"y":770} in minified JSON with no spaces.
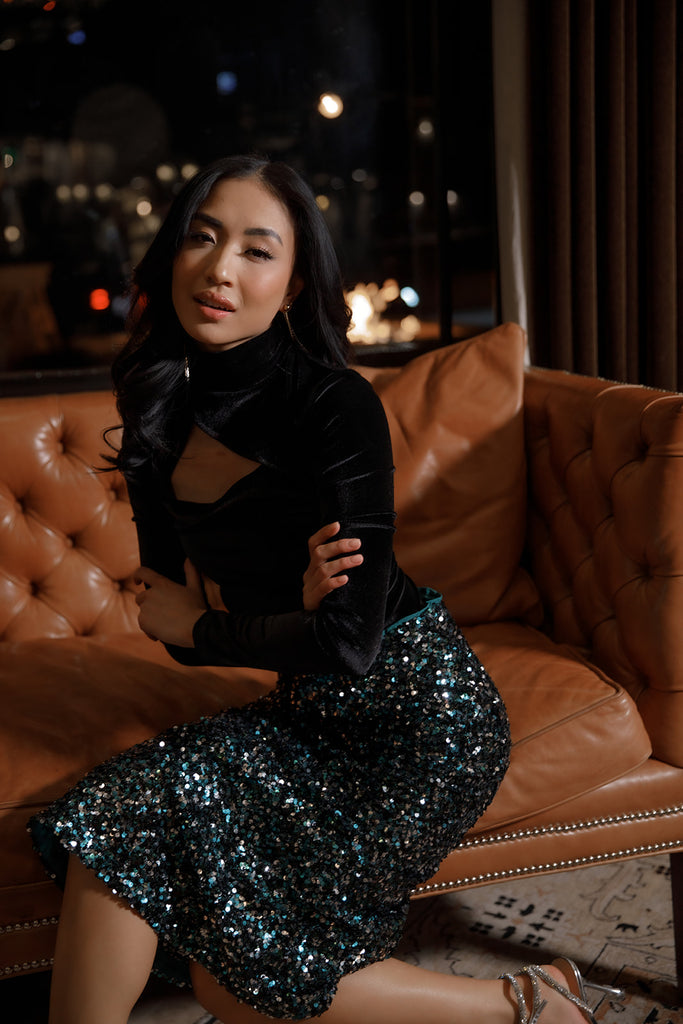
{"x":105,"y":955}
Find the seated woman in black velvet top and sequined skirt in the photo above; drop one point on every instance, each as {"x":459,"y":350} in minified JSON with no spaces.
{"x":267,"y":855}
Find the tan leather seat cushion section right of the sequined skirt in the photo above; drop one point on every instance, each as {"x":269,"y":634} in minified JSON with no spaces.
{"x":573,"y":729}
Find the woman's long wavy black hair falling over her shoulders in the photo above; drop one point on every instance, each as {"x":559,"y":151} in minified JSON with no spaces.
{"x":149,"y":373}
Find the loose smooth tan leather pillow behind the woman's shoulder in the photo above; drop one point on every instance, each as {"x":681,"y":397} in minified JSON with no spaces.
{"x":458,"y":436}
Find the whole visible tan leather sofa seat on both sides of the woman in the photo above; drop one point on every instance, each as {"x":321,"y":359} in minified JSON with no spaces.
{"x":71,"y":704}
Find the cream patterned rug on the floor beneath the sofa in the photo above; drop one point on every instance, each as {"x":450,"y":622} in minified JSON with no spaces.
{"x":615,"y":920}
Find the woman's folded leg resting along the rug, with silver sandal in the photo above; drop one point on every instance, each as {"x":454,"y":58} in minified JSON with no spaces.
{"x":395,"y":993}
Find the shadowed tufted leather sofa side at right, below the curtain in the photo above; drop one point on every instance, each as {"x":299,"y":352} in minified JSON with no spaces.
{"x":606,"y":468}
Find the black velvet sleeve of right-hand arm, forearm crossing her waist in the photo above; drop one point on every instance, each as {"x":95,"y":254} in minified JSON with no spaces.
{"x":347,"y":442}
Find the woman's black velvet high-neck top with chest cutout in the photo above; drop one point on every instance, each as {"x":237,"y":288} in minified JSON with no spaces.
{"x":321,"y":438}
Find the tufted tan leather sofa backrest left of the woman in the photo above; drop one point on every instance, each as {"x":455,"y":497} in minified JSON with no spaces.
{"x":68,"y":547}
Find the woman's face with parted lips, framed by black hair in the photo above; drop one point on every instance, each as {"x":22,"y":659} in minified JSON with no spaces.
{"x":235,"y":270}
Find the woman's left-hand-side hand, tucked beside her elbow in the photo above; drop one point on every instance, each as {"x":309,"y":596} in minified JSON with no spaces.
{"x":169,"y":611}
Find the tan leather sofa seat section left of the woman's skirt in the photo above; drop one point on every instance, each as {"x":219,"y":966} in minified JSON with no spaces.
{"x":71,"y":704}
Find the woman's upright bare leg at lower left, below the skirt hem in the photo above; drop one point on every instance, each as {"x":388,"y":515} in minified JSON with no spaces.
{"x":104,"y":954}
